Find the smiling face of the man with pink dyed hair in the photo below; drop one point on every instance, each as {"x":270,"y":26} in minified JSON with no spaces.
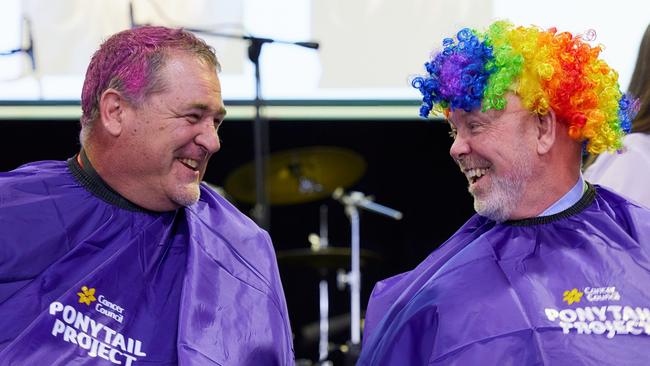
{"x":166,"y":142}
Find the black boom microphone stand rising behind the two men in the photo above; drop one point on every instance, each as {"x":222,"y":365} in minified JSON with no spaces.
{"x":261,"y":211}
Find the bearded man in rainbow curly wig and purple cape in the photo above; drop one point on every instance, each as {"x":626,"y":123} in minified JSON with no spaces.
{"x":552,"y":270}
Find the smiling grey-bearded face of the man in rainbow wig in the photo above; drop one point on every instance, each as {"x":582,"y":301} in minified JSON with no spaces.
{"x":496,"y":150}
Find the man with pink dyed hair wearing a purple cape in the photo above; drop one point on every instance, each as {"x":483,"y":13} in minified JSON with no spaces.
{"x":121,"y":255}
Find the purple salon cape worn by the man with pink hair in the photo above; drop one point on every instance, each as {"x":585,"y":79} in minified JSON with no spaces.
{"x":88,"y":282}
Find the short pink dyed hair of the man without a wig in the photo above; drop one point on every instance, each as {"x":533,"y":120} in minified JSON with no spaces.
{"x":130,"y":62}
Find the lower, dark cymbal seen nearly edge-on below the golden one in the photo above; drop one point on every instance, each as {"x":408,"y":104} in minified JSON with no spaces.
{"x":325,"y":258}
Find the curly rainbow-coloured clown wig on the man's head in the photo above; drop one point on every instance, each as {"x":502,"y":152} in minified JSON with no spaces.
{"x":546,"y":69}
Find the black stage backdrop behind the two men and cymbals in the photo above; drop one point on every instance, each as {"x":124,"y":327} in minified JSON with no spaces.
{"x":408,"y":168}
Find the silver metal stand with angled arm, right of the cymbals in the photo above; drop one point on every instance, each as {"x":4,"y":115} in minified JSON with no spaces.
{"x":352,"y":202}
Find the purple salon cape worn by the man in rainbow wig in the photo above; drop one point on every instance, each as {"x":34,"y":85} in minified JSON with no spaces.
{"x":567,"y":289}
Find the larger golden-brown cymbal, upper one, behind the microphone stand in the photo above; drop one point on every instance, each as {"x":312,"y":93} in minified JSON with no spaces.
{"x":299,"y":175}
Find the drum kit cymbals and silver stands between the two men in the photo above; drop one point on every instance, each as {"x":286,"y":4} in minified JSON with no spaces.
{"x":310,"y":174}
